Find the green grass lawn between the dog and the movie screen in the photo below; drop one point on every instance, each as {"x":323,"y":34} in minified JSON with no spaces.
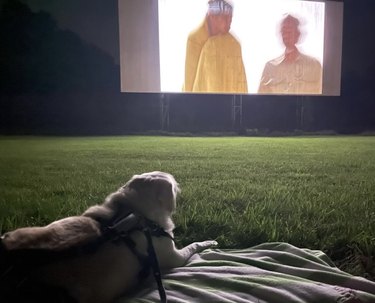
{"x":315,"y":192}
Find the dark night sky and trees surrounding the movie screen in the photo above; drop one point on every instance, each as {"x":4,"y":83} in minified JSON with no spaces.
{"x":59,"y":74}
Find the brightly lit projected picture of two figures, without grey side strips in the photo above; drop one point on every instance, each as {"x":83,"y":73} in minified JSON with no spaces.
{"x":241,"y":46}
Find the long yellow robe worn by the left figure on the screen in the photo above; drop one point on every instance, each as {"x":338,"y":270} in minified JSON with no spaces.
{"x":214,"y":64}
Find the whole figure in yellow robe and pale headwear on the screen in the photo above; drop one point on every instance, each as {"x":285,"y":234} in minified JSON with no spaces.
{"x":213,"y":55}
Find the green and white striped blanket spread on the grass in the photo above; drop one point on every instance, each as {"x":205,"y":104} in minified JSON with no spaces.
{"x":270,"y":272}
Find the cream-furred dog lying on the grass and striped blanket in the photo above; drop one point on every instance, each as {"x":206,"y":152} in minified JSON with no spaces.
{"x":111,"y":268}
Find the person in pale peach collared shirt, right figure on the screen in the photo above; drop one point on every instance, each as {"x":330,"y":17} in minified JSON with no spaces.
{"x":292,"y":72}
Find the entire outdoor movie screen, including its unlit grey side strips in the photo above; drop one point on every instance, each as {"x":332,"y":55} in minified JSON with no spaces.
{"x":276,"y":47}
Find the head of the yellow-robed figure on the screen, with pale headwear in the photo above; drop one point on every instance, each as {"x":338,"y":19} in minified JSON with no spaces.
{"x":219,"y":16}
